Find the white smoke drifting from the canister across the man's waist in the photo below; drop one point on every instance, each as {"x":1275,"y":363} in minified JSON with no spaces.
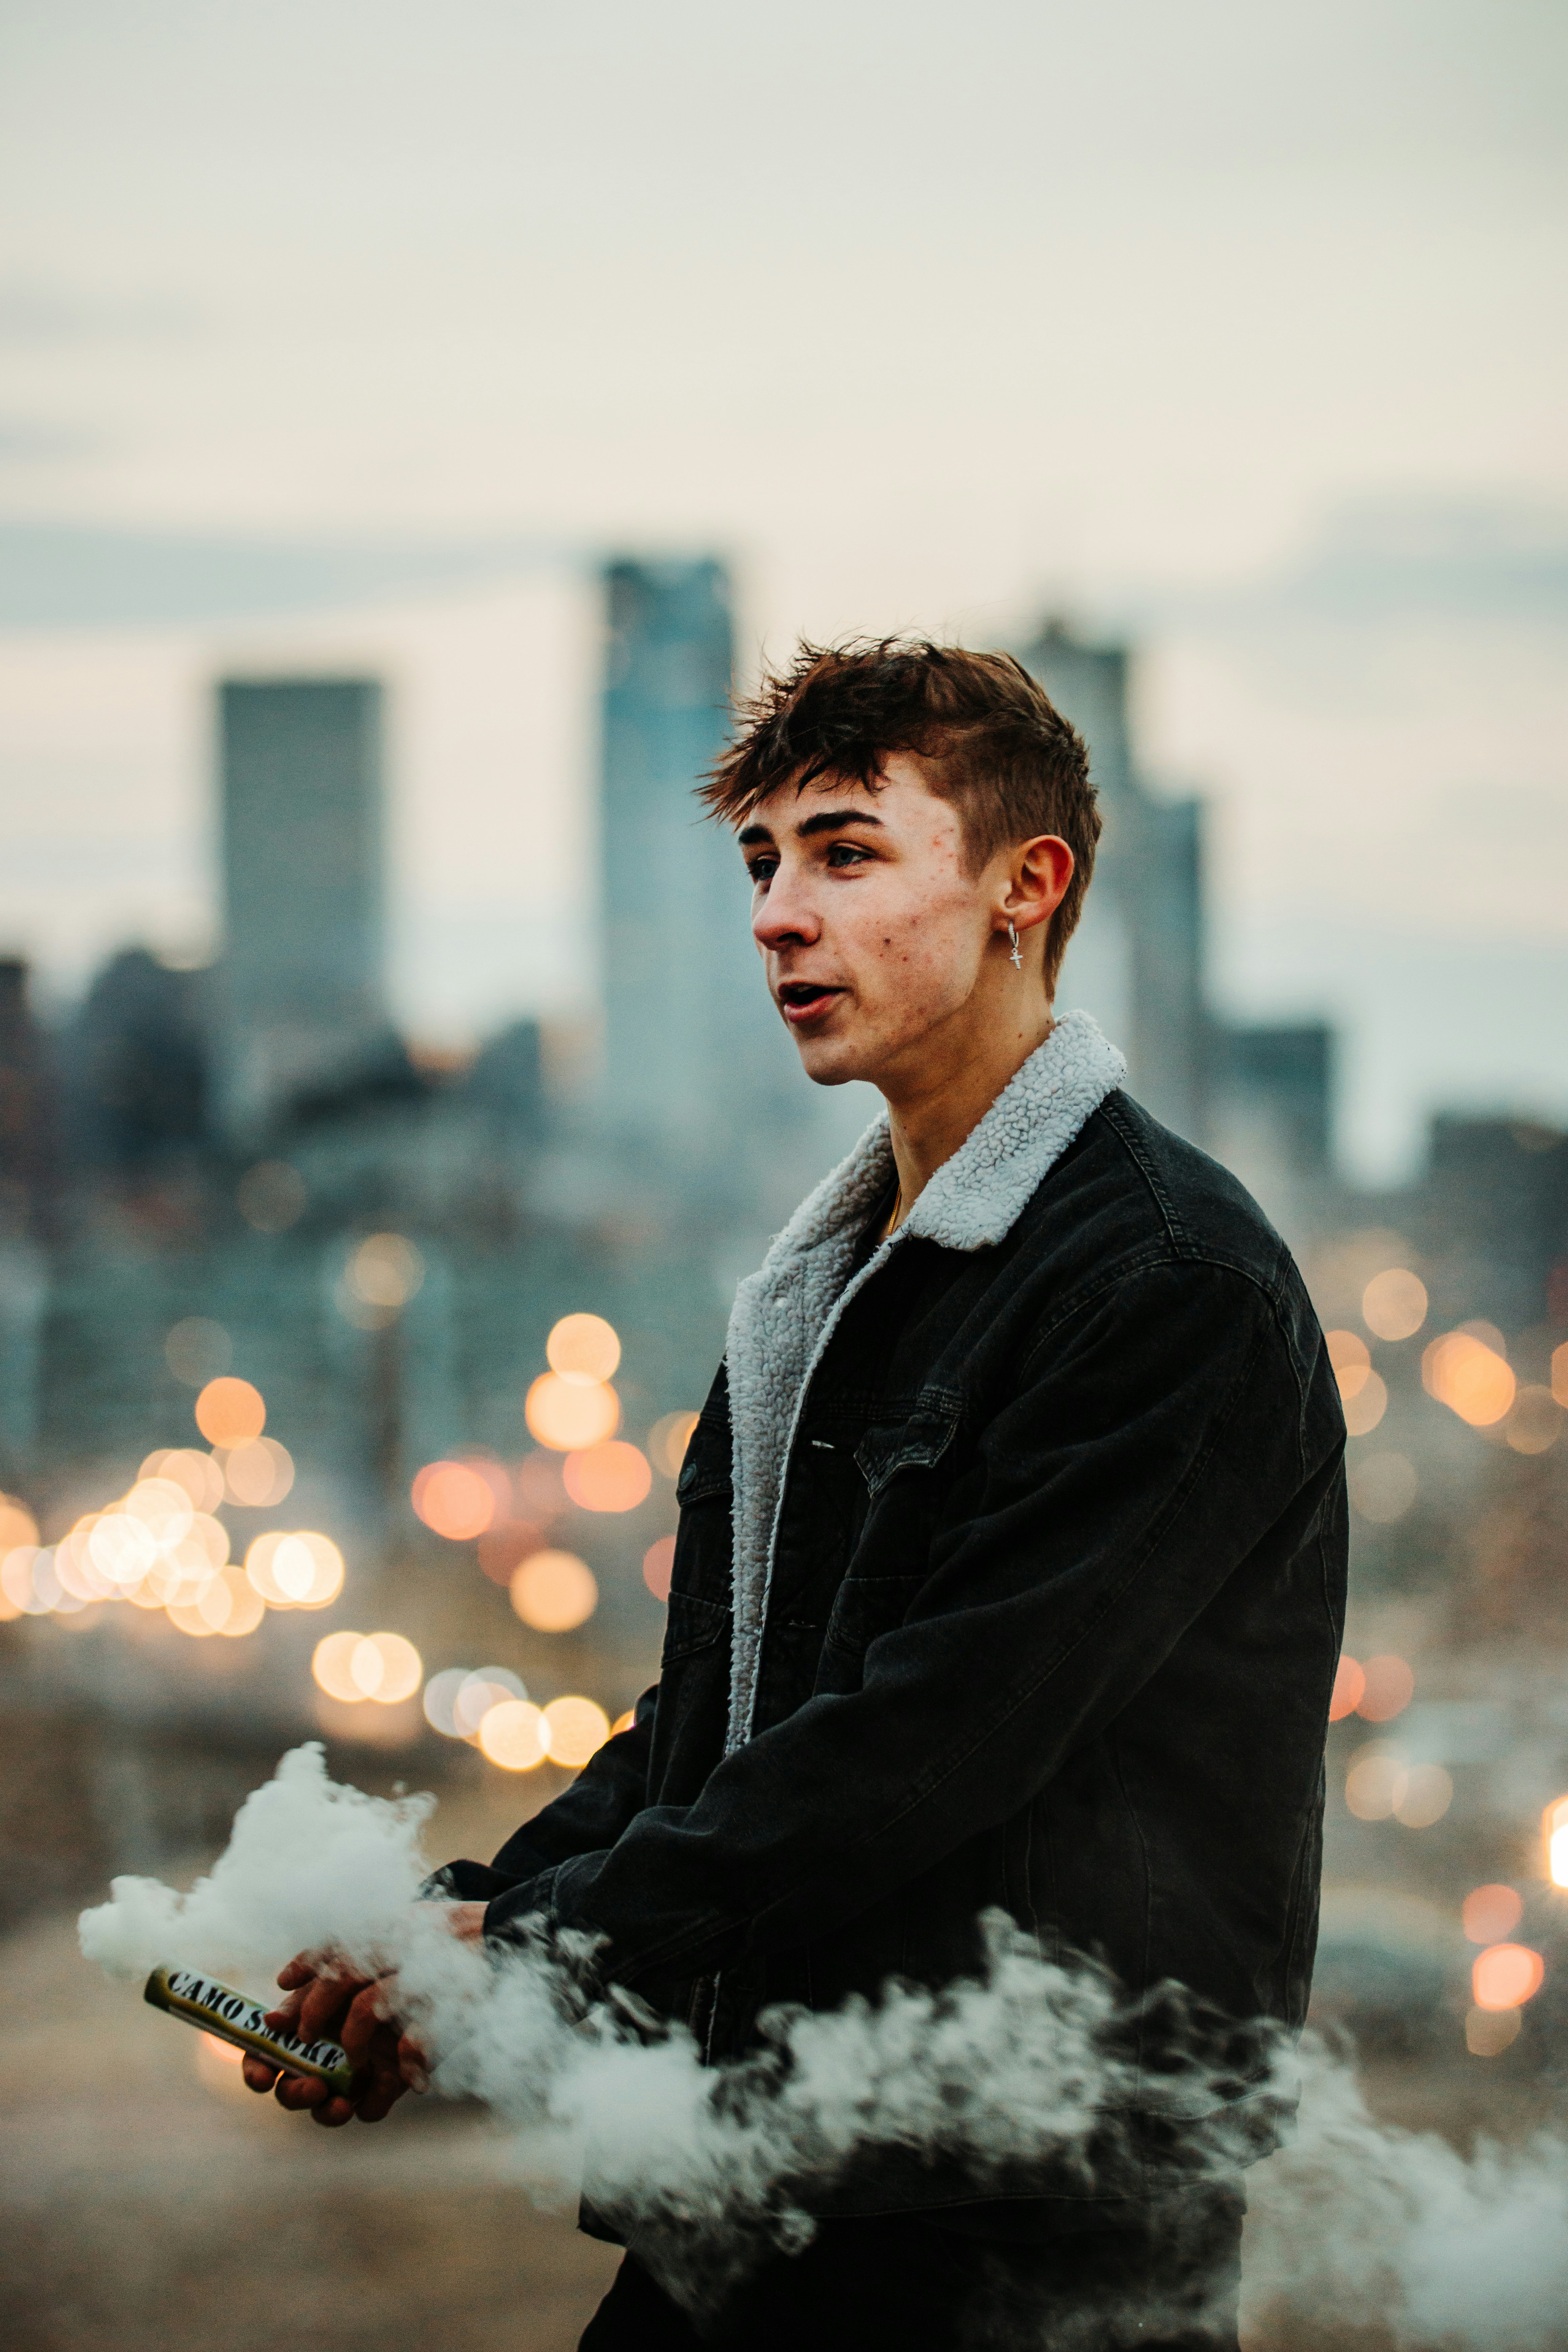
{"x":1351,"y":2224}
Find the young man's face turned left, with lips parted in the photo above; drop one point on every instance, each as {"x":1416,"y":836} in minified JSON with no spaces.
{"x":873,"y":933}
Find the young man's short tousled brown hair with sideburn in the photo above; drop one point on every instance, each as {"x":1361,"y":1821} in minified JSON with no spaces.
{"x":984,"y":730}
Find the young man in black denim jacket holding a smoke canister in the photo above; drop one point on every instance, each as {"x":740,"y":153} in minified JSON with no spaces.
{"x":1012,"y":1542}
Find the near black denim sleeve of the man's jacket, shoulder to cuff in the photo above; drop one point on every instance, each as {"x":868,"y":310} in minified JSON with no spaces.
{"x":1155,"y":1441}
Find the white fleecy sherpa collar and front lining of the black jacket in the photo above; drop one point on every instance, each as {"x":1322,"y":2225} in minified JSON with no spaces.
{"x":789,"y":1309}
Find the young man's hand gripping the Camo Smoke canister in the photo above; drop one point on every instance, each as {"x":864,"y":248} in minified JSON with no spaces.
{"x":326,"y":2000}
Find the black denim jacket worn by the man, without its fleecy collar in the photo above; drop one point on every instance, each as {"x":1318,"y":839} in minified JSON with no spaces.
{"x":1052,"y":1626}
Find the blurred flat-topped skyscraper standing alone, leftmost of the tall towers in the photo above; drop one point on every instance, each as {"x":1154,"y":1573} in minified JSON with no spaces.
{"x":302,"y":998}
